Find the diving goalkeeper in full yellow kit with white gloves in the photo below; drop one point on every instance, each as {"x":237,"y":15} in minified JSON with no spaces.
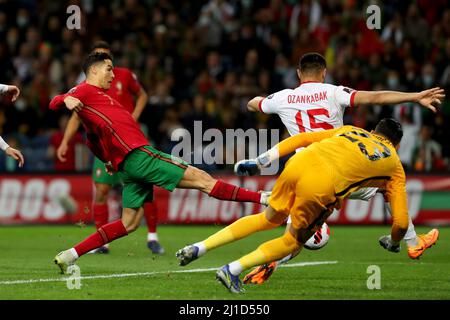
{"x":313,"y":183}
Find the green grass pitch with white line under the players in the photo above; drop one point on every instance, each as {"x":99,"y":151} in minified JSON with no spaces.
{"x":130,"y":271}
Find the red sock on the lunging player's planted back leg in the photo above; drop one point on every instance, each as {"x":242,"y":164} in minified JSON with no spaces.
{"x":103,"y":235}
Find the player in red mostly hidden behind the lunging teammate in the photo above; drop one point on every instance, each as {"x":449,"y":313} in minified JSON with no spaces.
{"x":124,"y":88}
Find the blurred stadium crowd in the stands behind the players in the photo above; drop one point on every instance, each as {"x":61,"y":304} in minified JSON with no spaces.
{"x":203,"y":60}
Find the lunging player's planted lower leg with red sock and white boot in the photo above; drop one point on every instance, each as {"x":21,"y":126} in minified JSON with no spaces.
{"x":130,"y":222}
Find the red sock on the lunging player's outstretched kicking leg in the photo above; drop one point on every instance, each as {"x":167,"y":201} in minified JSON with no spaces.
{"x":226,"y":191}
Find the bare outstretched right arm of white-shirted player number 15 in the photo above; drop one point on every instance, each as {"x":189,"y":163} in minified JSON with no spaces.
{"x":426,"y":98}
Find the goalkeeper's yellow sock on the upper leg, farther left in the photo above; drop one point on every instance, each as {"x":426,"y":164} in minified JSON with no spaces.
{"x":238,"y":230}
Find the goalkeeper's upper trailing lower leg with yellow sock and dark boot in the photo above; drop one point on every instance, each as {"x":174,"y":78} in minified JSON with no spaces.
{"x":237,"y":230}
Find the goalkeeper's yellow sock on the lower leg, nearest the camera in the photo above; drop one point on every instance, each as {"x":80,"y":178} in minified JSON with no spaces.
{"x":270,"y":251}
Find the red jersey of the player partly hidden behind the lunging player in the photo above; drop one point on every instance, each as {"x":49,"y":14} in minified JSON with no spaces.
{"x":124,"y":87}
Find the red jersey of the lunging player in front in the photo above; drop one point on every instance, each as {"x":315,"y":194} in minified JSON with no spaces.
{"x":111,"y":131}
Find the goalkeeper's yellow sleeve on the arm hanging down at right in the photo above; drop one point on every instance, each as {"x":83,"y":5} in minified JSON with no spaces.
{"x":396,"y":194}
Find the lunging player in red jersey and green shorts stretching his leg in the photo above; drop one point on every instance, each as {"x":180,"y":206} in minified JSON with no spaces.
{"x":116,"y":139}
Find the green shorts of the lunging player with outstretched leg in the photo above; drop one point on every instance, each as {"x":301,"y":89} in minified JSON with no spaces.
{"x":144,"y":167}
